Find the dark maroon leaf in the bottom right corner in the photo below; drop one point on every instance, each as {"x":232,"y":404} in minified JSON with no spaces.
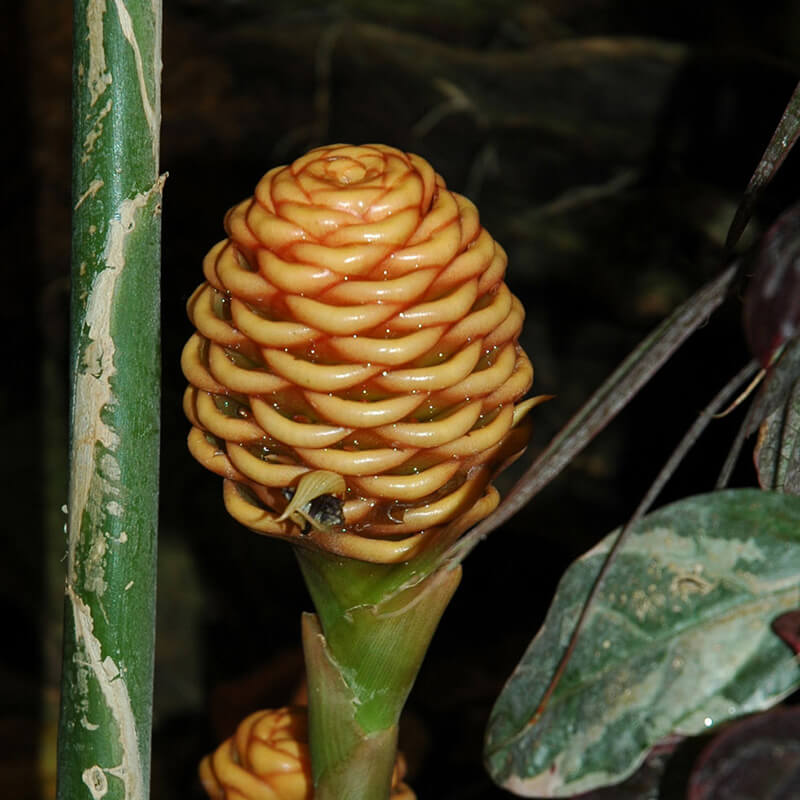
{"x":756,"y":758}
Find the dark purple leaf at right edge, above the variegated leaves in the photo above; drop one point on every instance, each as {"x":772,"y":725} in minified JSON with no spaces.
{"x":772,"y":302}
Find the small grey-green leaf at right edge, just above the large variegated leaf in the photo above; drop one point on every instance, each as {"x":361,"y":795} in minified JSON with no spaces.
{"x":777,"y":453}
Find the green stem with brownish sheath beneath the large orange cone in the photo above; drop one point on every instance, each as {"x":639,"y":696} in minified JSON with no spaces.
{"x":363,"y":652}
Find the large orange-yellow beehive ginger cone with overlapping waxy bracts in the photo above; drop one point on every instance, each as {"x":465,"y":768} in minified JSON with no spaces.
{"x":355,"y":374}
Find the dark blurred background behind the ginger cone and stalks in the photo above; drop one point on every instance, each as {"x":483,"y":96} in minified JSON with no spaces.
{"x":606,"y":143}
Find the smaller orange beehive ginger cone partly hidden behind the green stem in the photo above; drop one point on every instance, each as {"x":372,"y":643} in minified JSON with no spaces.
{"x":268,"y":758}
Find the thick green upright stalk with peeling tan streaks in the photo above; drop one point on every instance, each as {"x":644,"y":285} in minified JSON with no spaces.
{"x":109,"y":624}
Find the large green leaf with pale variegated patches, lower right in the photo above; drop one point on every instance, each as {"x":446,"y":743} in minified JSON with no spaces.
{"x":677,"y":640}
